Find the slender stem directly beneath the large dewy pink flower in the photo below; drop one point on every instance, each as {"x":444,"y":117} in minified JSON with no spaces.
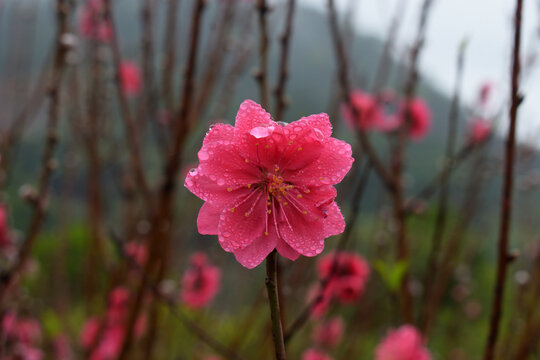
{"x":271,"y":288}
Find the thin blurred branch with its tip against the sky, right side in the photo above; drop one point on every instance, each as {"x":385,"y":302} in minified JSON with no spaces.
{"x":442,"y":207}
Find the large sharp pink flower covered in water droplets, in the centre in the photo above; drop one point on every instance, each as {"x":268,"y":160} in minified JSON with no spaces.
{"x":268,"y":186}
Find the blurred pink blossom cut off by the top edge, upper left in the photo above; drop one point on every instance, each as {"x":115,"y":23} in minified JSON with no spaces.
{"x":91,"y":22}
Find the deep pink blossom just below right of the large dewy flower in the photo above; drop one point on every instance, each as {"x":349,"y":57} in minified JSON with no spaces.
{"x":349,"y":279}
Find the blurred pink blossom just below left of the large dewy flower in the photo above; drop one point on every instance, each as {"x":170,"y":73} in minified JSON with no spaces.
{"x":200,"y":283}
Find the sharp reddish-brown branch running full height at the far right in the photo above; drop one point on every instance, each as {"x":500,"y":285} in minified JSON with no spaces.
{"x":506,"y":201}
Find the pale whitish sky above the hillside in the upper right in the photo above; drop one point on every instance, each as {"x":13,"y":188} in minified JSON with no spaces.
{"x":488,"y":26}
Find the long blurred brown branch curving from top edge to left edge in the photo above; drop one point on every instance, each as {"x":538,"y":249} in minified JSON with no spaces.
{"x":48,"y":164}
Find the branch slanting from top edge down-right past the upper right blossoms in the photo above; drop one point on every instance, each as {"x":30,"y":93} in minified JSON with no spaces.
{"x":343,"y":70}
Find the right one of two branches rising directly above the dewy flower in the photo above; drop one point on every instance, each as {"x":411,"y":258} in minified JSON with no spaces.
{"x":281,"y":101}
